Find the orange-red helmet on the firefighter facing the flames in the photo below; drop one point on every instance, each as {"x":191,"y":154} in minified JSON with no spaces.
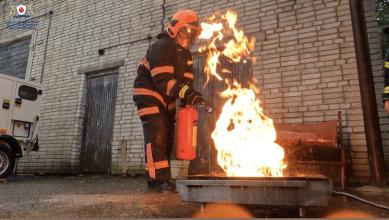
{"x":184,"y":19}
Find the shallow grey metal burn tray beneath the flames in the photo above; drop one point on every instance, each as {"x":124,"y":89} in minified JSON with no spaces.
{"x":299,"y":190}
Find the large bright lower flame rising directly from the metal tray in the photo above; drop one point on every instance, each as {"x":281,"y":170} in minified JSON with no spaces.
{"x":245,"y":137}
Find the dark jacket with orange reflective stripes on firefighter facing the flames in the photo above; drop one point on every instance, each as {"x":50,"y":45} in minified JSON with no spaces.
{"x":161,"y":73}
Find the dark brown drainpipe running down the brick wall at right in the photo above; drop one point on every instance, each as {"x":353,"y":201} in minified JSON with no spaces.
{"x":369,"y":104}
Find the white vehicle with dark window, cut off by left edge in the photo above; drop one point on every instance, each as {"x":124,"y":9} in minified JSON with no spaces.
{"x":19,"y":116}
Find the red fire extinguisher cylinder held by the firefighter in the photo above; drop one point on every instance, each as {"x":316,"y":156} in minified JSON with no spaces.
{"x":186,"y":129}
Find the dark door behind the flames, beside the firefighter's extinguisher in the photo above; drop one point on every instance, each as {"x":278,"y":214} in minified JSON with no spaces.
{"x":206,"y":160}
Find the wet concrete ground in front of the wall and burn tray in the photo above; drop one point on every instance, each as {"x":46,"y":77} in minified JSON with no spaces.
{"x":116,"y":196}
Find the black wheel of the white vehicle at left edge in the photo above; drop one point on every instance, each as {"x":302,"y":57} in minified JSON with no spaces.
{"x":7,"y":160}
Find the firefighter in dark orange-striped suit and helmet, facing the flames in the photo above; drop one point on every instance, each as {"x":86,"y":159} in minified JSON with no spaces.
{"x":165,"y":75}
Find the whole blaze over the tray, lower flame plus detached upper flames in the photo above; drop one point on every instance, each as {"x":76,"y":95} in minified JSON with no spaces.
{"x":244,"y":136}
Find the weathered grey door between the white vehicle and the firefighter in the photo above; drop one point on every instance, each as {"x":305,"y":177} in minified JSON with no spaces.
{"x":98,"y":123}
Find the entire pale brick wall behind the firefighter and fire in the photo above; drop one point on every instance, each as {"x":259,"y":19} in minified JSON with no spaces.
{"x":305,"y":67}
